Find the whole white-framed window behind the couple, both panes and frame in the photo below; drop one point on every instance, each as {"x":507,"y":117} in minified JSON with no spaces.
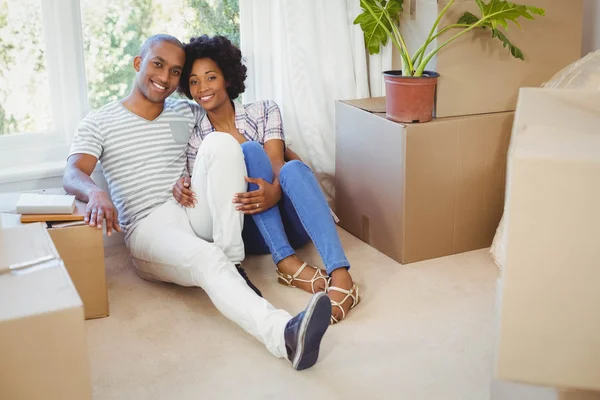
{"x":61,"y":58}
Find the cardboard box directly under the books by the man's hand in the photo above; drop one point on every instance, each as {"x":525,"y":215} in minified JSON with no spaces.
{"x":82,"y":250}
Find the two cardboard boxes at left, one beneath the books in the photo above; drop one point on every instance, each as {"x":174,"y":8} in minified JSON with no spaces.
{"x":52,"y":277}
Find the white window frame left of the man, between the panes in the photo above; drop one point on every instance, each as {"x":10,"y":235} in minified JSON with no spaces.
{"x":46,"y":152}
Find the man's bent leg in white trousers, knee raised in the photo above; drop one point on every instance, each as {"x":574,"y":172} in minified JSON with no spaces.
{"x":218,"y":175}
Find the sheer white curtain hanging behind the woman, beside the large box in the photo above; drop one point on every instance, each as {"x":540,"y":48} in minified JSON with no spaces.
{"x":304,"y":55}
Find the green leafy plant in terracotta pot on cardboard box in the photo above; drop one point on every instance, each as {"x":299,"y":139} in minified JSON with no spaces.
{"x":410,"y":93}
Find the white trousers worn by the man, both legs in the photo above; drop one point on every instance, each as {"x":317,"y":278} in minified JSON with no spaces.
{"x":166,"y":248}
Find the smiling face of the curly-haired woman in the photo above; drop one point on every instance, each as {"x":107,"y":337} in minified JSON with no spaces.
{"x":207,"y":84}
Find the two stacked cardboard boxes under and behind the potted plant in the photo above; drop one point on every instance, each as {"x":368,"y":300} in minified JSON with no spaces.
{"x":421,"y":191}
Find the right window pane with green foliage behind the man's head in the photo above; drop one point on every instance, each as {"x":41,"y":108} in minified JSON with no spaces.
{"x":114,"y":31}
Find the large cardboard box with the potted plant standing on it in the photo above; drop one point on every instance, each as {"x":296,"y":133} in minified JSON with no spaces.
{"x":419,"y":191}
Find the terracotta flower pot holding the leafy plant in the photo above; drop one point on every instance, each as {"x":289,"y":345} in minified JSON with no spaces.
{"x":410,"y":98}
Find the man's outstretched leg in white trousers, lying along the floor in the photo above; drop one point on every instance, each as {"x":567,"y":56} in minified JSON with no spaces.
{"x":165,"y":248}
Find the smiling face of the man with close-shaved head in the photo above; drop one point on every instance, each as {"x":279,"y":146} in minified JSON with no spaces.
{"x":159,"y":71}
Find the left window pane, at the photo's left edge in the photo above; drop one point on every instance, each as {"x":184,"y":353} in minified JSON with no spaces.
{"x":24,"y":87}
